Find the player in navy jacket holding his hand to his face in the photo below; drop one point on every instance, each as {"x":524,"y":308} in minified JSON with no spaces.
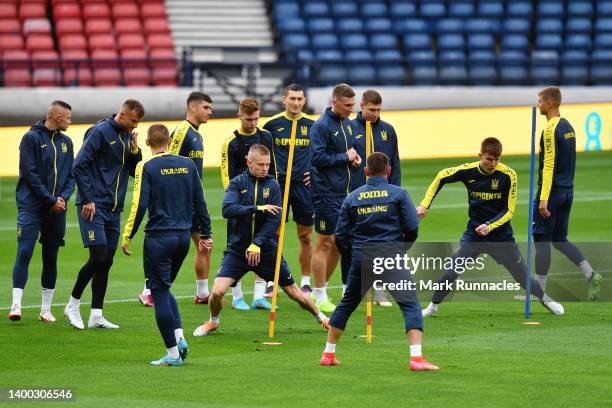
{"x":102,"y":167}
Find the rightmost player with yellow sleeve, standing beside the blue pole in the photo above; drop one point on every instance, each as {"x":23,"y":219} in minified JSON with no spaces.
{"x":553,"y":202}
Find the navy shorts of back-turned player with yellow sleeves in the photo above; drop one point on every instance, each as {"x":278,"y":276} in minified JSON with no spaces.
{"x":163,"y":257}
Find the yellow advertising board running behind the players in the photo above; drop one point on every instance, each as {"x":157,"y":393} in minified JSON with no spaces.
{"x":421,"y":133}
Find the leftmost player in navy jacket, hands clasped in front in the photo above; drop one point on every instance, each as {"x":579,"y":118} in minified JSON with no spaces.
{"x":45,"y":184}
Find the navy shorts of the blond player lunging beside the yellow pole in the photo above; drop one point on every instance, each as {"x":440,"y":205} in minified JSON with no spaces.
{"x":235,"y":267}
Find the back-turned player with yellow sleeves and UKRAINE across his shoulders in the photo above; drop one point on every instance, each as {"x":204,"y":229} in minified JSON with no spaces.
{"x":168,"y":187}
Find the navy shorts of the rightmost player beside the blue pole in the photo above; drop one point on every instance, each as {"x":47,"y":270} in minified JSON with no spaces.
{"x":556,"y":226}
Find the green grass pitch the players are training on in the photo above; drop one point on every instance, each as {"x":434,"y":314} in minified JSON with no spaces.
{"x":487,"y":357}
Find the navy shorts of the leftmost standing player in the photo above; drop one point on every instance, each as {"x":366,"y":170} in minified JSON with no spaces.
{"x":51,"y":227}
